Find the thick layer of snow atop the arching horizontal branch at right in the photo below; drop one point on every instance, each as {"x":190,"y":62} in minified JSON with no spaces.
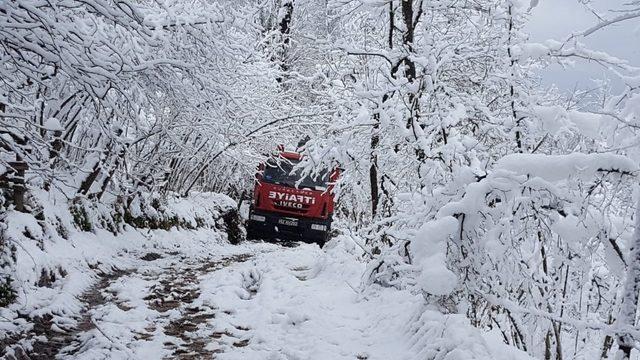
{"x":560,"y":167}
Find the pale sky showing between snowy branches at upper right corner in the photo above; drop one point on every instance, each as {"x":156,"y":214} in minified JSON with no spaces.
{"x":556,"y":19}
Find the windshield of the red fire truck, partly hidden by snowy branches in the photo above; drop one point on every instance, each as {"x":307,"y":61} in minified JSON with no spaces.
{"x":281,"y":173}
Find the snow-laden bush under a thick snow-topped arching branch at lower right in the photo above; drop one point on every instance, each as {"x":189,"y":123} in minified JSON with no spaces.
{"x":498,"y":247}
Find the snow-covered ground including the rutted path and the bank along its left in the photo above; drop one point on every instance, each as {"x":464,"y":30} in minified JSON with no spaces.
{"x":190,"y":294}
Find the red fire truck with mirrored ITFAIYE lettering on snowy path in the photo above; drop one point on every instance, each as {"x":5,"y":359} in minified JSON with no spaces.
{"x":286,"y":205}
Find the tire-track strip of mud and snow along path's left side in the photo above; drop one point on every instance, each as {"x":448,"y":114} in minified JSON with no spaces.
{"x":174,"y":326}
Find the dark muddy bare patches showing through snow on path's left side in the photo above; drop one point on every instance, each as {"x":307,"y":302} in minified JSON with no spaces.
{"x":175,"y":288}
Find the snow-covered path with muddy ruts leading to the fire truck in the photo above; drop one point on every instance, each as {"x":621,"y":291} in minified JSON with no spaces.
{"x":208,"y":299}
